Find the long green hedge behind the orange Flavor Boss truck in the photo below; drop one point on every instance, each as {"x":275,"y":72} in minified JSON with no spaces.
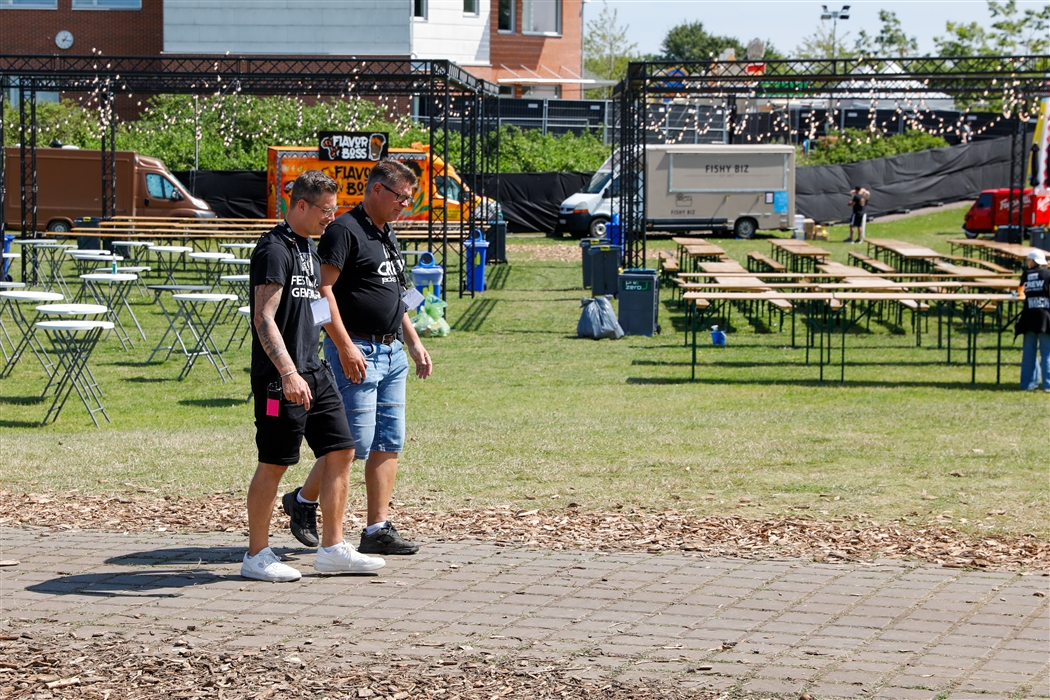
{"x":236,"y":131}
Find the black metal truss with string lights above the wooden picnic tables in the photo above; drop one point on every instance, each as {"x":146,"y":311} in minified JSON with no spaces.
{"x":1015,"y":82}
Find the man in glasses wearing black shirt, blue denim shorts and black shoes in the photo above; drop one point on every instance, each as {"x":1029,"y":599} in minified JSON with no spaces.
{"x":363,"y":277}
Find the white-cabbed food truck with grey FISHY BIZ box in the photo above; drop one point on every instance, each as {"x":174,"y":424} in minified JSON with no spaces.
{"x":701,"y":187}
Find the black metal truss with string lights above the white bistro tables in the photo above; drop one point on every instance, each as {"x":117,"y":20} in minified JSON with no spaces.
{"x":461,"y":111}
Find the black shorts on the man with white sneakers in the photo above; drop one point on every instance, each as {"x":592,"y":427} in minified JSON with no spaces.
{"x":325,"y":426}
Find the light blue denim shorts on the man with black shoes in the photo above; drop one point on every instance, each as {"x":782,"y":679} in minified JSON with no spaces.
{"x":375,"y":409}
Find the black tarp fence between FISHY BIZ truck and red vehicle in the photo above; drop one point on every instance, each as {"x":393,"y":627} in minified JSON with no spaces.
{"x":906,"y":182}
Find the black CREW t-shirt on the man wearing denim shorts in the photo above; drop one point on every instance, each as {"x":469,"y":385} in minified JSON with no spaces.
{"x":371,"y":269}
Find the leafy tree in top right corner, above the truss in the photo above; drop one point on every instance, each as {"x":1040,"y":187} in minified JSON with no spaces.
{"x":1012,"y":33}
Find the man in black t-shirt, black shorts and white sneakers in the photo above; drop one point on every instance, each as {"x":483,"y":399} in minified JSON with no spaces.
{"x":296,"y":394}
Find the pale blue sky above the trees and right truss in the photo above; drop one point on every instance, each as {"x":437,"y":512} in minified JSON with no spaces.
{"x":787,"y":22}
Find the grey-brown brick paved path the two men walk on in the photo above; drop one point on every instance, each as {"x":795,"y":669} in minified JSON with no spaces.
{"x":890,"y":630}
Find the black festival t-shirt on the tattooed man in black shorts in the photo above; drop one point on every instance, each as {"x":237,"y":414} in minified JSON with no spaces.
{"x":286,"y":259}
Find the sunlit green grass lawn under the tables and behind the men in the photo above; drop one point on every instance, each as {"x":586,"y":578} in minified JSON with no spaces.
{"x":521,"y":412}
